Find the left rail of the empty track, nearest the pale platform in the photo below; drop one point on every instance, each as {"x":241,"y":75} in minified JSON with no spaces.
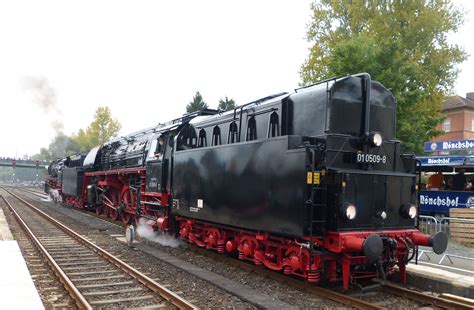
{"x":80,"y":300}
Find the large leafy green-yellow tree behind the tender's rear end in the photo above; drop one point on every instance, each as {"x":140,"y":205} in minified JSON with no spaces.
{"x":402,"y":44}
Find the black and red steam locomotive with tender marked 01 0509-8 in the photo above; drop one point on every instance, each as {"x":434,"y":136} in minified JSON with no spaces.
{"x":312,"y":183}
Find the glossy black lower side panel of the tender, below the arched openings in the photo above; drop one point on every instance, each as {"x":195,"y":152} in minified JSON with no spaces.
{"x":258,"y":185}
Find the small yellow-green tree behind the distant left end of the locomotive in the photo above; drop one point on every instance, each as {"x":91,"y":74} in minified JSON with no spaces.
{"x":102,"y":128}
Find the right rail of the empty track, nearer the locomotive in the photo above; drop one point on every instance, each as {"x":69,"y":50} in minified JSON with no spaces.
{"x":148,"y":282}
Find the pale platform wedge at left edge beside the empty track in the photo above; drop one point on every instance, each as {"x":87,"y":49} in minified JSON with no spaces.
{"x":17,"y":290}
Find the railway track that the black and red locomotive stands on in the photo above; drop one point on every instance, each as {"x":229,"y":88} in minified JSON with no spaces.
{"x":361,"y":301}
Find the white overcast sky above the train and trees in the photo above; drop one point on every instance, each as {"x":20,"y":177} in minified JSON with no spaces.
{"x":146,"y":59}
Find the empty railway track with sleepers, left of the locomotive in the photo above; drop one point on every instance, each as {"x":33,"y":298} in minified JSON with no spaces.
{"x":93,"y":277}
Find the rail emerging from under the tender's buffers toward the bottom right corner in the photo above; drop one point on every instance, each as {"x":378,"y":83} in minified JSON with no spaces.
{"x":435,"y":301}
